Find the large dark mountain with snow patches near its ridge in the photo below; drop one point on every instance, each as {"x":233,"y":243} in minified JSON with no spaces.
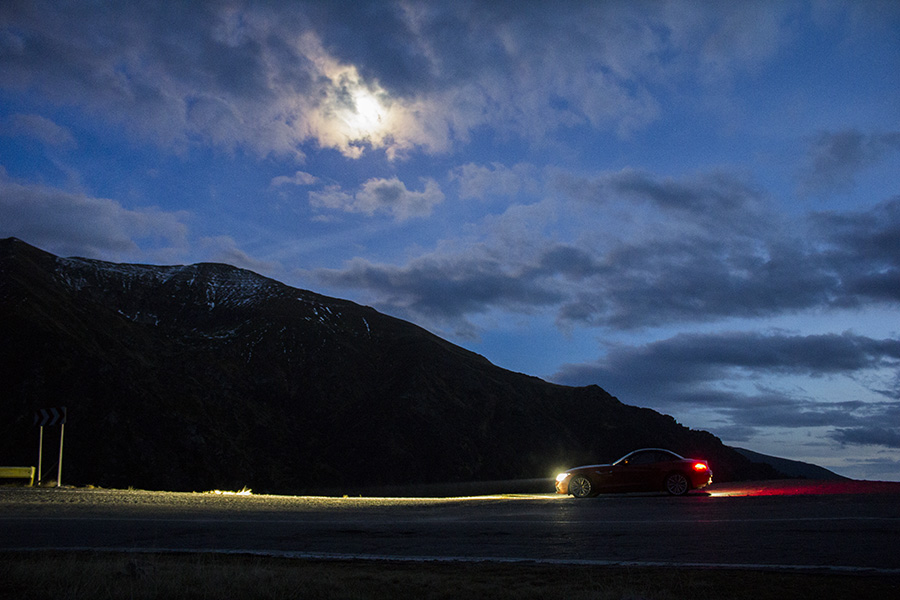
{"x":209,"y":376}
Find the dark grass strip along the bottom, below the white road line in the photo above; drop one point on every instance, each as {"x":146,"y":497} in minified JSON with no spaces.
{"x":83,"y":575}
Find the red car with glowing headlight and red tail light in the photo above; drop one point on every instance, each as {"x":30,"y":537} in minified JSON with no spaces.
{"x":646,"y":470}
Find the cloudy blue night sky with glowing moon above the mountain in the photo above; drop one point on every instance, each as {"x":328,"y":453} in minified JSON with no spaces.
{"x":694,"y":205}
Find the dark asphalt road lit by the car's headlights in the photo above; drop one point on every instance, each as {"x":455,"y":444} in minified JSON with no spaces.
{"x":834,"y":531}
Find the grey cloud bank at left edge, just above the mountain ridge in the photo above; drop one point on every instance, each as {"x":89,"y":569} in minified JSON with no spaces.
{"x":74,"y":223}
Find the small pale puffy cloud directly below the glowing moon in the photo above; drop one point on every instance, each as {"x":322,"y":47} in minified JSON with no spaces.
{"x":381,"y":196}
